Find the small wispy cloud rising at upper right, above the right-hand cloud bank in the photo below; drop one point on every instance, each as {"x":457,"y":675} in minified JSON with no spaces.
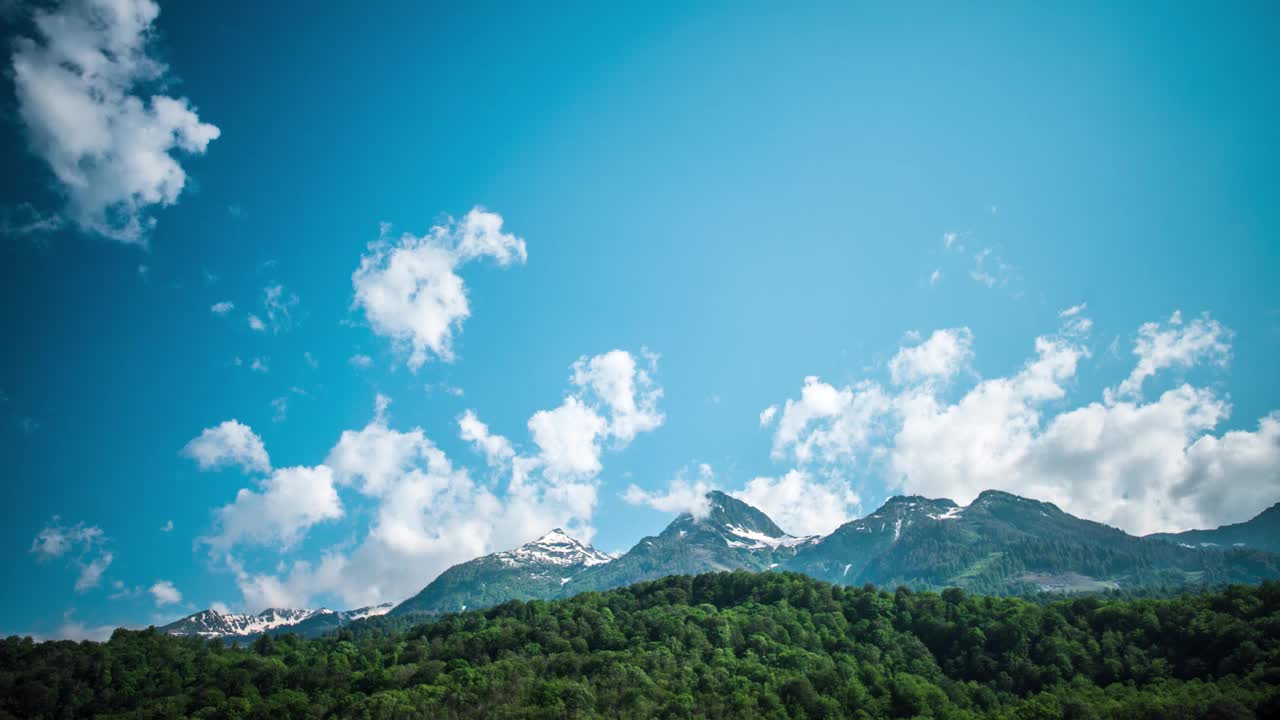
{"x":1177,"y":345}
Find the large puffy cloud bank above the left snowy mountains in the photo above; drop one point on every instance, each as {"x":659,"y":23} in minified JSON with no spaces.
{"x":428,"y":513}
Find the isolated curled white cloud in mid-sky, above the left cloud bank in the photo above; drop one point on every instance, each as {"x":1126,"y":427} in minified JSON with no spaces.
{"x":410,"y":290}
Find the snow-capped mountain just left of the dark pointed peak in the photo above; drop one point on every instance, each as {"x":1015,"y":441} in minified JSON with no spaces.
{"x":536,"y":571}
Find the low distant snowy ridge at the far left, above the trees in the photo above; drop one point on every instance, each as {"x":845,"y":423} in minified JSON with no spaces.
{"x":307,"y":623}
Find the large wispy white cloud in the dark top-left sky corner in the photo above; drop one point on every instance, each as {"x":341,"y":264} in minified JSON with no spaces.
{"x":112,"y":151}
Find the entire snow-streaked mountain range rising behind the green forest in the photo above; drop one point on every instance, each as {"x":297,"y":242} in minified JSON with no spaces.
{"x":1000,"y":544}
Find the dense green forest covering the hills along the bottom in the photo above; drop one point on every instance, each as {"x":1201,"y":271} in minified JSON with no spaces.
{"x":732,"y":645}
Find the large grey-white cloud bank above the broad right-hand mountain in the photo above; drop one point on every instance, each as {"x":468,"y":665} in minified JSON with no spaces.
{"x":1144,"y":466}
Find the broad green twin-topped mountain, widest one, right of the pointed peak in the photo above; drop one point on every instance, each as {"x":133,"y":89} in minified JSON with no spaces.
{"x":1004,"y":544}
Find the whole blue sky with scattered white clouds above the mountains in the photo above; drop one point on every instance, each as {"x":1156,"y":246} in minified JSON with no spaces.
{"x":304,"y":307}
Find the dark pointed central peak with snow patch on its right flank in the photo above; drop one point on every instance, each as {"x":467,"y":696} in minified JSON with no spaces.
{"x":734,"y":536}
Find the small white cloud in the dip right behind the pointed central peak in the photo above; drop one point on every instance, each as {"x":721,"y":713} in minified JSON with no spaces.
{"x":802,"y":504}
